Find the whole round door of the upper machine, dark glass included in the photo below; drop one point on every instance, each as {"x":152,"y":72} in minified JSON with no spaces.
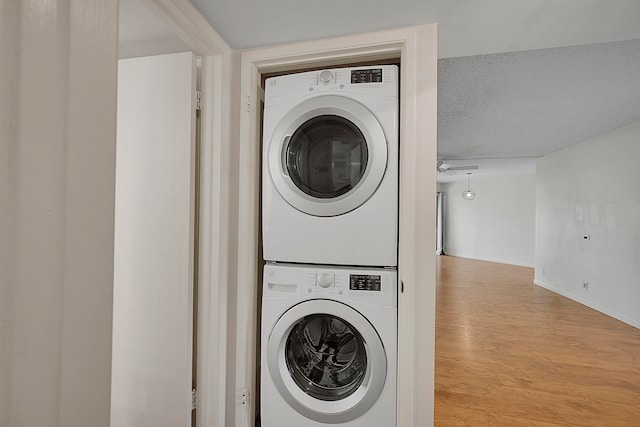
{"x":328,"y":155}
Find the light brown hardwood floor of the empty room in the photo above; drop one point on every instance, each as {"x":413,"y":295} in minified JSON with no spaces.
{"x":510,"y":353}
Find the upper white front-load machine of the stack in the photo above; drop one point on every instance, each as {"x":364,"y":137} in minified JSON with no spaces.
{"x":330,"y":167}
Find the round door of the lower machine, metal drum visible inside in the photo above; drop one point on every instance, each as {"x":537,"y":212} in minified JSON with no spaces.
{"x":327,"y":361}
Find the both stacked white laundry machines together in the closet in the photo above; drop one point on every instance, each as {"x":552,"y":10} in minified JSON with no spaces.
{"x":330,"y":242}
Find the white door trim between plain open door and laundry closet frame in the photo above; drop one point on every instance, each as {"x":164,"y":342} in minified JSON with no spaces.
{"x":216,"y":267}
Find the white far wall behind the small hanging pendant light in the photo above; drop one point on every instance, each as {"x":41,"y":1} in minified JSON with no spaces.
{"x":498,"y":225}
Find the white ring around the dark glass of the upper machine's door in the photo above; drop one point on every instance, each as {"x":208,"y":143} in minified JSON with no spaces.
{"x":279,"y":153}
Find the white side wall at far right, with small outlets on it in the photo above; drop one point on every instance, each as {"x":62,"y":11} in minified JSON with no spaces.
{"x":592,"y":189}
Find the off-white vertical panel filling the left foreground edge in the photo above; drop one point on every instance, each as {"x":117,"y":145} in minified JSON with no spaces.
{"x":57,"y":202}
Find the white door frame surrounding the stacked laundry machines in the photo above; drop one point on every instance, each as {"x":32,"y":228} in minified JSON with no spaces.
{"x":416,"y":48}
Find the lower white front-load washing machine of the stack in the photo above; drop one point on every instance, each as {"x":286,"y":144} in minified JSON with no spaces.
{"x":328,"y":346}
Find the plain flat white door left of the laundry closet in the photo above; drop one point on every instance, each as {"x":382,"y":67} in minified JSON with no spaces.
{"x":153,"y":277}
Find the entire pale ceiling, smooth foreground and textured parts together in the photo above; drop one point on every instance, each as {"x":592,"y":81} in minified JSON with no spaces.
{"x":508,"y":85}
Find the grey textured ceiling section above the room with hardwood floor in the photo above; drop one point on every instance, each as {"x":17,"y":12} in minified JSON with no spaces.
{"x":531,"y":103}
